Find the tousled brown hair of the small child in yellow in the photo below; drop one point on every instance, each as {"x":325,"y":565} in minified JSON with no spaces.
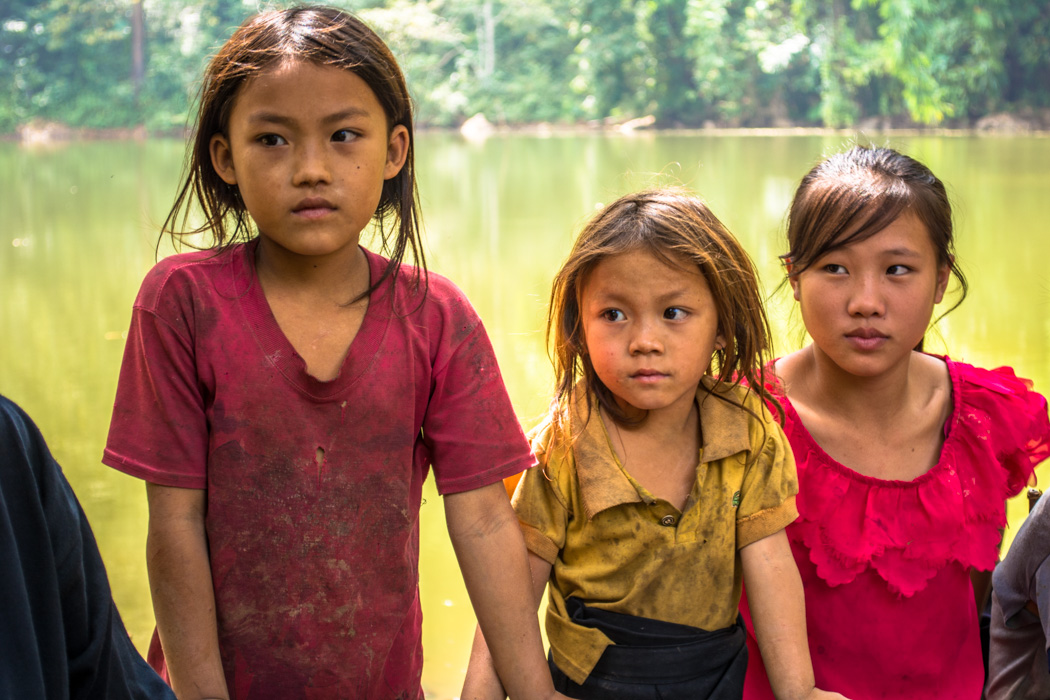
{"x":674,"y":225}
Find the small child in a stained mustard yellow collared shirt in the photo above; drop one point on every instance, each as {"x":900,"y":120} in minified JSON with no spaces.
{"x":664,"y":481}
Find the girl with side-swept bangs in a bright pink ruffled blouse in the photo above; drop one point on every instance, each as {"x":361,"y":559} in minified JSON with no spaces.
{"x":905,"y":459}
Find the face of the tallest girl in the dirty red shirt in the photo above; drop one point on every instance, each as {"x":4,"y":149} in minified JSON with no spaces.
{"x":308,"y":147}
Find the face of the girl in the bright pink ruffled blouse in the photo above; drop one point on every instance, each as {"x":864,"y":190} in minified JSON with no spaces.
{"x":868,"y":305}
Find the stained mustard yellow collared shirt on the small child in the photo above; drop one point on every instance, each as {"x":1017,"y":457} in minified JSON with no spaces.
{"x":617,"y":547}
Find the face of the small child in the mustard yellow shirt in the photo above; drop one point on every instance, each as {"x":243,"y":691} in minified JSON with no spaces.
{"x":650,"y":329}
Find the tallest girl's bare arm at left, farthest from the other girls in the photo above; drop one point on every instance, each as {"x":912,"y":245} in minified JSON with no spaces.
{"x":184,"y":600}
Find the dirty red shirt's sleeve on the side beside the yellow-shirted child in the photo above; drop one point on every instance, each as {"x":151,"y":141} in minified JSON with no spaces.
{"x":471,"y":428}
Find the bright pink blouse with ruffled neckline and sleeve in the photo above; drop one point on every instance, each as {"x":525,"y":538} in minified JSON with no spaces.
{"x":886,"y":564}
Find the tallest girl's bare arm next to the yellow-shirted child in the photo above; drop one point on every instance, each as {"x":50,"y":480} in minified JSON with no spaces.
{"x":492,"y":555}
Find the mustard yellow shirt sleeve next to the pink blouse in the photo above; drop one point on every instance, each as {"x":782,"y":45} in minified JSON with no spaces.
{"x":770,"y":485}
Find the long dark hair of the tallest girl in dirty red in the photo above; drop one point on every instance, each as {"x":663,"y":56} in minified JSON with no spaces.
{"x":326,"y":36}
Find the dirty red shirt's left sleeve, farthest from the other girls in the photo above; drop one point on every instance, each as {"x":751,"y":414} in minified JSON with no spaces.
{"x":159,"y":431}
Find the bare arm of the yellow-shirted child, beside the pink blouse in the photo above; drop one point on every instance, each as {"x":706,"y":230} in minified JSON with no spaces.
{"x":779,"y":610}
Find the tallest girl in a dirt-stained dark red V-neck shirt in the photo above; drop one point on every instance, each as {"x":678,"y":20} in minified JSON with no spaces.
{"x":285,"y":393}
